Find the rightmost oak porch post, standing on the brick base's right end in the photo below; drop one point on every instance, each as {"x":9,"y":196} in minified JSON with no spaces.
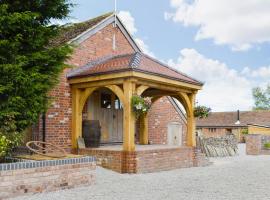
{"x":191,"y":135}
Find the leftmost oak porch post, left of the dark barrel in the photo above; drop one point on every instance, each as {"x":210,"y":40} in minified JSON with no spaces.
{"x":76,"y":116}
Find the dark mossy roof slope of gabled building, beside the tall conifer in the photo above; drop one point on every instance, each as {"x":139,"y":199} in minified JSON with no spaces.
{"x":70,"y":31}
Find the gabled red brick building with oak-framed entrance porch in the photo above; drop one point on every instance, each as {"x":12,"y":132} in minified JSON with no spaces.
{"x":104,"y":52}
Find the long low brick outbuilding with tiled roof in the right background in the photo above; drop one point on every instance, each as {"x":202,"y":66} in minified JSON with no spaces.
{"x":223,"y":123}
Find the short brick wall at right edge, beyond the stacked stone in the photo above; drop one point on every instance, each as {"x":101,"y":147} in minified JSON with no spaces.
{"x":255,"y":144}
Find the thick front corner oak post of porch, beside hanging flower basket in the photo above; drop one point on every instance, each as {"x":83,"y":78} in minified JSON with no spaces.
{"x":129,"y":118}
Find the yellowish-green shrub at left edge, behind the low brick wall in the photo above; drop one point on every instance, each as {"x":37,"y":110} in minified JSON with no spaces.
{"x":9,"y":138}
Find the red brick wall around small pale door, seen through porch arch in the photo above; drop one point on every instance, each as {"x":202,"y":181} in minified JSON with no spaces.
{"x":161,"y":114}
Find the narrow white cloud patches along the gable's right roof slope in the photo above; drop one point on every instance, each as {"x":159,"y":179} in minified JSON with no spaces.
{"x":129,"y":22}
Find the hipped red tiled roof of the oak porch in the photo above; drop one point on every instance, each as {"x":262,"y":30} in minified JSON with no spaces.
{"x":131,"y":62}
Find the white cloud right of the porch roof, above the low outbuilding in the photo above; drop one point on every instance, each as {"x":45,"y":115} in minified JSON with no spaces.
{"x":225,"y":89}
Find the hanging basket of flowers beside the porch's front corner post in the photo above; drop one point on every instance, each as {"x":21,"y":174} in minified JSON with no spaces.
{"x":140,"y":105}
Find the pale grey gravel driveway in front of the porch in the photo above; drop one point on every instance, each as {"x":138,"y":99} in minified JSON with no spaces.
{"x":242,"y":177}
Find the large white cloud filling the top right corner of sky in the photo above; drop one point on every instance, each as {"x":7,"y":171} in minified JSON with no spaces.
{"x":239,"y":24}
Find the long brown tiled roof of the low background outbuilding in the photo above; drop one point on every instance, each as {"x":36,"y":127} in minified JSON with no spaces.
{"x":228,"y":119}
